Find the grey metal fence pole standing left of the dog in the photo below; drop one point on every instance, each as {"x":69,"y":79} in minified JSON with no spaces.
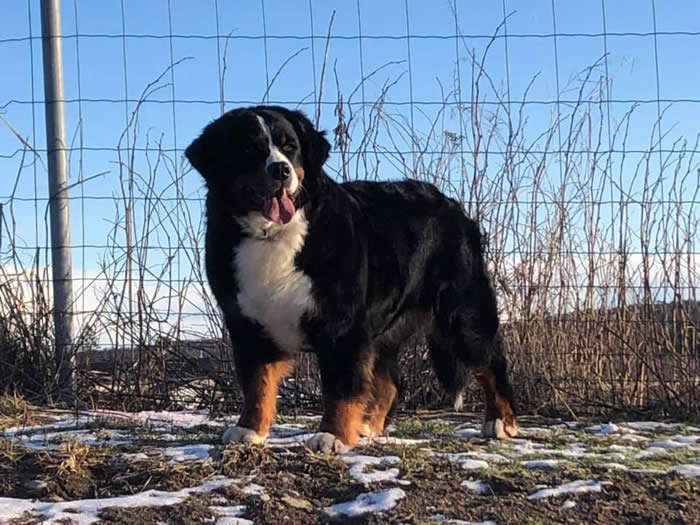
{"x":58,"y":193}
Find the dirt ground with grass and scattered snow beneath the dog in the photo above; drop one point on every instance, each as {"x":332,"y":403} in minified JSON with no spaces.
{"x":169,"y":467}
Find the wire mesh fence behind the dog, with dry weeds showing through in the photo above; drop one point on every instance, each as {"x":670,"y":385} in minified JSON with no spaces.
{"x":569,"y":132}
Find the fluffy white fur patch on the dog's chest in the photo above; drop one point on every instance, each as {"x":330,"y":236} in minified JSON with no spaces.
{"x":272,"y":291}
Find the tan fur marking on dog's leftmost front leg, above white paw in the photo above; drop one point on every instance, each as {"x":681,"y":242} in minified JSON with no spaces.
{"x":260,"y":396}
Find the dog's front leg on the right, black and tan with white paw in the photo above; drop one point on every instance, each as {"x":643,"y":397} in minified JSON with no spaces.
{"x":346,"y":375}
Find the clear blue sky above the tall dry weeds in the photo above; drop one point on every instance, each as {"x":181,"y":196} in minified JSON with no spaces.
{"x":157,"y":36}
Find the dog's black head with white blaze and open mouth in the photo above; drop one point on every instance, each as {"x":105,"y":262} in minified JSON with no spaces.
{"x":260,"y":159}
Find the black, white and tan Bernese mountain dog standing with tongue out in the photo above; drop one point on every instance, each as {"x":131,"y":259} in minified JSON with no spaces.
{"x":301,"y":263}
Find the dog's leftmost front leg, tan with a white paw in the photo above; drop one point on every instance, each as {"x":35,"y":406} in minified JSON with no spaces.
{"x":259,"y":381}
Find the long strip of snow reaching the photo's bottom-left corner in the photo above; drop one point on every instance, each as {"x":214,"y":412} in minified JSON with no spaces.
{"x":85,"y":512}
